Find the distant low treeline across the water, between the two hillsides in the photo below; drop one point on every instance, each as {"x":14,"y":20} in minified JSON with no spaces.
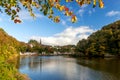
{"x":39,"y":48}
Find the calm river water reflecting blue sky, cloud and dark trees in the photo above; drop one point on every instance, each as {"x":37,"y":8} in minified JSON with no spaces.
{"x":66,"y":68}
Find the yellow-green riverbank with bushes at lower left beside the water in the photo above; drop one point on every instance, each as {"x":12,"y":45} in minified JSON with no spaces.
{"x":8,"y":69}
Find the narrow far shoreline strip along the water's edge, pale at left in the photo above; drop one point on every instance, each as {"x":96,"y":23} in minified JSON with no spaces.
{"x":66,"y":54}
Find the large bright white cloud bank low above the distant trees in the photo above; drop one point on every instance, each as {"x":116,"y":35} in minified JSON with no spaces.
{"x":68,"y":36}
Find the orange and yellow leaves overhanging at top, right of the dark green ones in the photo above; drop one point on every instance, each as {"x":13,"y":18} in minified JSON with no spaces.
{"x":47,"y":7}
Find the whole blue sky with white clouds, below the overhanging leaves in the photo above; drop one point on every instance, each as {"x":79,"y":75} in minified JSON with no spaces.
{"x":65,"y":32}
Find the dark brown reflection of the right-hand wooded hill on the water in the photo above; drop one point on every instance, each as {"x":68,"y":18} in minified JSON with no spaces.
{"x":111,"y":66}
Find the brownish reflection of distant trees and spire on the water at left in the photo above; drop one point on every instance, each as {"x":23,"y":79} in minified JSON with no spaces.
{"x":33,"y":62}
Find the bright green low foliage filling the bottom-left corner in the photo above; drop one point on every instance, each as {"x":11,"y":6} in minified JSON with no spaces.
{"x":9,"y":72}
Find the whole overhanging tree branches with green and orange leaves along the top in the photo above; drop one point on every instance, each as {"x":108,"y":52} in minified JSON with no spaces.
{"x":47,"y":7}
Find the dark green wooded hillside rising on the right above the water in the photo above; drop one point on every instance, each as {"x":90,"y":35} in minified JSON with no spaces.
{"x":102,"y":42}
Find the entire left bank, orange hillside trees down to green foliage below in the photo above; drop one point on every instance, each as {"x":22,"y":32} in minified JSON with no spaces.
{"x":9,"y":50}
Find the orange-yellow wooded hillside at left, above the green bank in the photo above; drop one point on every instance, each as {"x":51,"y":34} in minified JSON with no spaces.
{"x":8,"y":45}
